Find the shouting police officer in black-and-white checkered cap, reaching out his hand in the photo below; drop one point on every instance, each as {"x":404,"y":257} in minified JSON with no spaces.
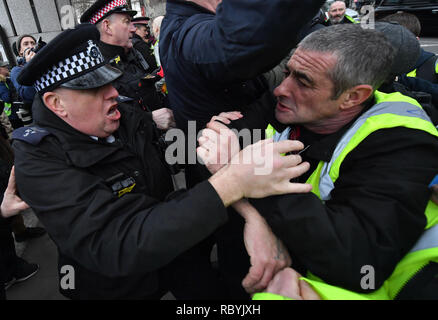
{"x":103,"y":190}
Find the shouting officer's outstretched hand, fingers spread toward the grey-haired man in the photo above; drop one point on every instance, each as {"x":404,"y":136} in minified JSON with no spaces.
{"x":259,"y":170}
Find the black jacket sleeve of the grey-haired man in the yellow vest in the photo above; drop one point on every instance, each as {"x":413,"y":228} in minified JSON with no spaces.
{"x":374,"y":217}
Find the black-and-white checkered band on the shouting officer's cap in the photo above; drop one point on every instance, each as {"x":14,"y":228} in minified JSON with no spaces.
{"x":67,"y":69}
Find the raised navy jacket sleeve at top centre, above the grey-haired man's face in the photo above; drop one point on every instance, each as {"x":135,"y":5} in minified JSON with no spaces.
{"x":245,"y":38}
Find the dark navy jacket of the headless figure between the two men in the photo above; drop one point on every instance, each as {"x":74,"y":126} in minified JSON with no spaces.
{"x":212,"y":62}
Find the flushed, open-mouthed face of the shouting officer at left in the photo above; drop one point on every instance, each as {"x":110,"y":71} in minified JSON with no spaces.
{"x":92,"y":111}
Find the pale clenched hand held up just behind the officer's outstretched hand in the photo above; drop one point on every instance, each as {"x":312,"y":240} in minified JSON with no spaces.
{"x":217,"y":145}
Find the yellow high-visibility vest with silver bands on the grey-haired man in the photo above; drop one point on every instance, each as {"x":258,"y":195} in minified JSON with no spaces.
{"x":391,"y":110}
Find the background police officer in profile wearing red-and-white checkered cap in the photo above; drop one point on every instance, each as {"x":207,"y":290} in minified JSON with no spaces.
{"x":113,"y":20}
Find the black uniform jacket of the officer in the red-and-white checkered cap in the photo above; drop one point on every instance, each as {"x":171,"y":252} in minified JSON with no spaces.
{"x":135,"y":83}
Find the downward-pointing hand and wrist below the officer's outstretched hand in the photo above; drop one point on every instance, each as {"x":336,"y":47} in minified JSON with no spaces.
{"x":267,"y":253}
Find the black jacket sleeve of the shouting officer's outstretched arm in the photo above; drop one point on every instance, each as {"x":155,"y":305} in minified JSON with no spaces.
{"x":115,"y":237}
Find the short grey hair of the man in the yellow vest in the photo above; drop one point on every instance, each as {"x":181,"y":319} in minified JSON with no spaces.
{"x":364,"y":56}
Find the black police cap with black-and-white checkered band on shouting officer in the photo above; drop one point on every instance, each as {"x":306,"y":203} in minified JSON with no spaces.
{"x":71,"y":60}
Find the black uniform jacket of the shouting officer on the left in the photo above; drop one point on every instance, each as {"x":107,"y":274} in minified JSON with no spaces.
{"x":116,"y":242}
